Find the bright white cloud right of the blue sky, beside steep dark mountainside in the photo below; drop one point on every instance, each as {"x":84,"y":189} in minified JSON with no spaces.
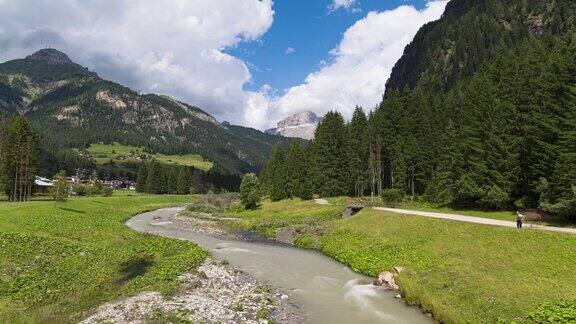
{"x":361,"y":64}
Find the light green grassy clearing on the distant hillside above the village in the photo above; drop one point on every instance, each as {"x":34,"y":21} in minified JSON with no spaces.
{"x":118,"y":153}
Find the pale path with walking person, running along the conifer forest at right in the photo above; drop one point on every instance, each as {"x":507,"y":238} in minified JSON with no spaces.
{"x":476,"y":220}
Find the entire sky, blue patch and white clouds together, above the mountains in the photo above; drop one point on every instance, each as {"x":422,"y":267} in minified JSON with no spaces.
{"x":248,"y":62}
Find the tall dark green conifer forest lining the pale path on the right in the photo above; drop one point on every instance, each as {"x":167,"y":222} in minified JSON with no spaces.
{"x":504,"y":138}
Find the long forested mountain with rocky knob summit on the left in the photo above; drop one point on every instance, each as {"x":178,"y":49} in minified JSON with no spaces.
{"x":72,"y":107}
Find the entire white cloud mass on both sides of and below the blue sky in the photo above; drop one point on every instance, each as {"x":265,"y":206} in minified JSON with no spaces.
{"x":176,"y":47}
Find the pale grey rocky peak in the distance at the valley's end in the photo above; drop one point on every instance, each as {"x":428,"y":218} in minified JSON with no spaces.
{"x":300,"y":125}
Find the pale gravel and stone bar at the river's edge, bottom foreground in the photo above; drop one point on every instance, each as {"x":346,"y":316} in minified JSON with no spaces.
{"x":221,"y":294}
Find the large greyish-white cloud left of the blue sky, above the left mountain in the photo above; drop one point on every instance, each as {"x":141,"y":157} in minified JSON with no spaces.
{"x":163,"y":46}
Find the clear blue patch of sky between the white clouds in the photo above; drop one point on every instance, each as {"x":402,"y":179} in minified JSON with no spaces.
{"x":311,"y":30}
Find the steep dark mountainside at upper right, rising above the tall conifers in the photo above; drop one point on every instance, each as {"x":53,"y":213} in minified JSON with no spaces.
{"x":472,"y":32}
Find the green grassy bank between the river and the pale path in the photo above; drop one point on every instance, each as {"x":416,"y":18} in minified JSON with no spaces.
{"x":460,"y":272}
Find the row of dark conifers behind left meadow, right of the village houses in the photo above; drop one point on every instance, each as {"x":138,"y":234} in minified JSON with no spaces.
{"x":156,"y":178}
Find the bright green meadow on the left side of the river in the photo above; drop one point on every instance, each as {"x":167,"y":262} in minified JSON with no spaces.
{"x":59,"y":260}
